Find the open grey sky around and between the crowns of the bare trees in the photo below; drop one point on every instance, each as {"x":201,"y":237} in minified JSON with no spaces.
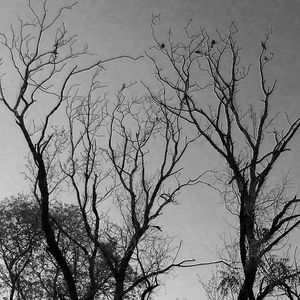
{"x":115,"y":27}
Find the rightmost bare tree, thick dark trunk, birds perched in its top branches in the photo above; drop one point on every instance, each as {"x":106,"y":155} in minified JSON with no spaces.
{"x":203,"y":79}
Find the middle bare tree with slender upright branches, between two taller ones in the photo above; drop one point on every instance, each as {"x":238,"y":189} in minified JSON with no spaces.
{"x":124,"y":168}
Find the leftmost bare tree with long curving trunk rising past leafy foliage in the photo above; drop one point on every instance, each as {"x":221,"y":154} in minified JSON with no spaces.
{"x":40,"y":60}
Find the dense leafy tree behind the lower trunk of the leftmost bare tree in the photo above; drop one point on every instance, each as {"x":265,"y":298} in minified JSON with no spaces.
{"x":30,"y":272}
